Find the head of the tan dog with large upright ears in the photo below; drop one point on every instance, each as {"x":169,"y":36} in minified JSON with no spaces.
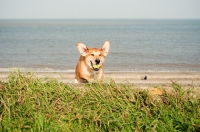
{"x":94,"y":57}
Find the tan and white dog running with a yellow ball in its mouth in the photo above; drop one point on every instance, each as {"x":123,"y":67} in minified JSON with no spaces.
{"x":90,"y":66}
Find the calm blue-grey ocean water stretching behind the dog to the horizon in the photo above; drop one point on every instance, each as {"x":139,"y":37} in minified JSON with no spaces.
{"x":136,"y":45}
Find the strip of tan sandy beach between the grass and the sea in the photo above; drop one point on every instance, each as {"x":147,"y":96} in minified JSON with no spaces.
{"x":137,"y":78}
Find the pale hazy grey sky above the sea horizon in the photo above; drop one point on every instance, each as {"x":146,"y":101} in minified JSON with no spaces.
{"x":180,"y":9}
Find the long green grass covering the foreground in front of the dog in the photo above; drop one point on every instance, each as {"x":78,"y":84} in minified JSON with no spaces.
{"x":28,"y":103}
